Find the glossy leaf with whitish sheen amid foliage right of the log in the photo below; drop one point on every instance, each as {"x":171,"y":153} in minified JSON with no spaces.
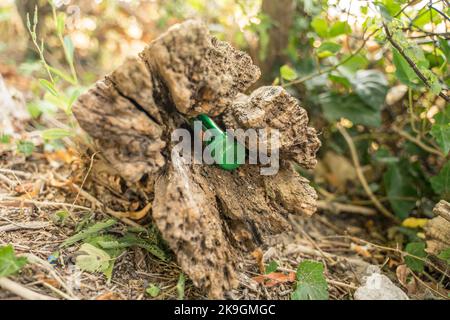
{"x":371,"y":87}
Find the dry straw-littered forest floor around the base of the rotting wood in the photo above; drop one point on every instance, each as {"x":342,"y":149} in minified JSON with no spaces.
{"x":39,"y":188}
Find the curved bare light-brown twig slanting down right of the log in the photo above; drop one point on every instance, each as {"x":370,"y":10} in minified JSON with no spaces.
{"x":361,"y":176}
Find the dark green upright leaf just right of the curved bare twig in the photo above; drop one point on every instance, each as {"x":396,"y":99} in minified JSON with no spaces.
{"x":400,"y":189}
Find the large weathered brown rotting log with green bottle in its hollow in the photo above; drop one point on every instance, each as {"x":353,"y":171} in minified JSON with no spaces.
{"x":209,"y":217}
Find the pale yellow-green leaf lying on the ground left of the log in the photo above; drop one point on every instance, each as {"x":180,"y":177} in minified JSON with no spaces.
{"x":92,"y":259}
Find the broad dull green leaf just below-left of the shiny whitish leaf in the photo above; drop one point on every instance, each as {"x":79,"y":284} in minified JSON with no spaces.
{"x":351,"y":107}
